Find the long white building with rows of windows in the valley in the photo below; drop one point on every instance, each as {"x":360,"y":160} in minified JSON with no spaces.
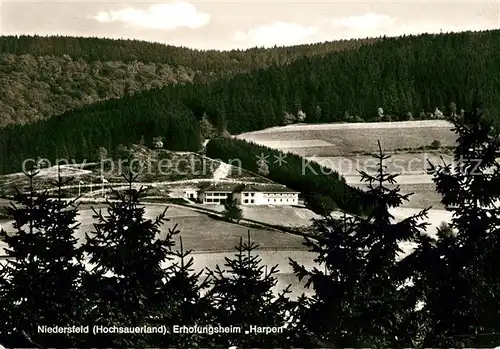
{"x":249,"y":194}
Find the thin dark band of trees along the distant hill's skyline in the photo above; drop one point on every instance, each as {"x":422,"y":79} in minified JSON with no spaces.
{"x":93,"y":49}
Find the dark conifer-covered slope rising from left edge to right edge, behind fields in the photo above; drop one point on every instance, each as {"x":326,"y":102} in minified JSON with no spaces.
{"x":400,"y":75}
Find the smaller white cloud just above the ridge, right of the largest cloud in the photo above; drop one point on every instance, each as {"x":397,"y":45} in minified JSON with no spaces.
{"x":279,"y":33}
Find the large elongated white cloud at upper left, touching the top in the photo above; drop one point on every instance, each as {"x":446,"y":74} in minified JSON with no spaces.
{"x":158,"y":16}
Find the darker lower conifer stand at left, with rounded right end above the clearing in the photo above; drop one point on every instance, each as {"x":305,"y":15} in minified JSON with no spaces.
{"x":73,"y":137}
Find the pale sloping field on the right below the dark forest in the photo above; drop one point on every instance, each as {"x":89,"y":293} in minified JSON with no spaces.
{"x":332,"y":146}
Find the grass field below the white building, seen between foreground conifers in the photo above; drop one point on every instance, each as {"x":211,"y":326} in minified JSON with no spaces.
{"x":212,"y":240}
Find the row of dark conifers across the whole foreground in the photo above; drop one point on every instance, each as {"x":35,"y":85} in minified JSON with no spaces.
{"x":367,"y":291}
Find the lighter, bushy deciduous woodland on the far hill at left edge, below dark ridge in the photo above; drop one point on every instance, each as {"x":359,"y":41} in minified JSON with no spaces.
{"x":39,"y":87}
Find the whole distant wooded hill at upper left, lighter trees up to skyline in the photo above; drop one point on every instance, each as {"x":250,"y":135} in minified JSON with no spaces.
{"x":46,"y":76}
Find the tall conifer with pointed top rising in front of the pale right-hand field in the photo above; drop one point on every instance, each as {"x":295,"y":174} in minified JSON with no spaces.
{"x":384,"y":279}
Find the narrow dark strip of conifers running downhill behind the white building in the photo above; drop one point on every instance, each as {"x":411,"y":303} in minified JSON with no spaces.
{"x":323,"y":189}
